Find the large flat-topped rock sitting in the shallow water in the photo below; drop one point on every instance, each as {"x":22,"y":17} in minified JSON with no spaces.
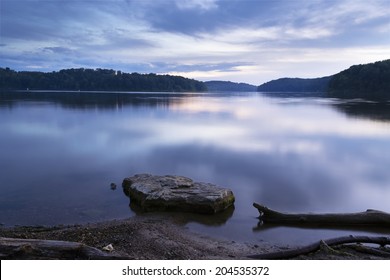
{"x":176,"y":193}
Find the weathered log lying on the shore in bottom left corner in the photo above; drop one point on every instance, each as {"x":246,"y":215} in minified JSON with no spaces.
{"x":15,"y":248}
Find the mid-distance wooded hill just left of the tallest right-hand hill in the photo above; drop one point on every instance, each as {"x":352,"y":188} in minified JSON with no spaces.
{"x":317,"y":85}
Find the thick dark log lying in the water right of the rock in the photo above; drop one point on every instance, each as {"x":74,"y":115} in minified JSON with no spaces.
{"x":367,"y":218}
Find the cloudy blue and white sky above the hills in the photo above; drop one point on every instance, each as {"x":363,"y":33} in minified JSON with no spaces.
{"x":251,"y":41}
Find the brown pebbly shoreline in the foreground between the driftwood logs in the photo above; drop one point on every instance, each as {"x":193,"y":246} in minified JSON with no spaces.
{"x":154,"y":238}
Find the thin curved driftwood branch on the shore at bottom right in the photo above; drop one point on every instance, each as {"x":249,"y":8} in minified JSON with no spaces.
{"x":317,"y":245}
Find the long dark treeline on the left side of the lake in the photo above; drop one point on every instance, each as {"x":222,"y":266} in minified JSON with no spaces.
{"x":96,"y":79}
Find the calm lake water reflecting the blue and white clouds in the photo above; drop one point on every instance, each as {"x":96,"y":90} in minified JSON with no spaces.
{"x":59,"y":152}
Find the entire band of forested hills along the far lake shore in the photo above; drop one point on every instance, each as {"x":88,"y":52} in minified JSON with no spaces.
{"x":369,"y":81}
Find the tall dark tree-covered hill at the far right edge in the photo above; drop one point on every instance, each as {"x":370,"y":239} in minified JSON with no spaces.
{"x":370,"y":81}
